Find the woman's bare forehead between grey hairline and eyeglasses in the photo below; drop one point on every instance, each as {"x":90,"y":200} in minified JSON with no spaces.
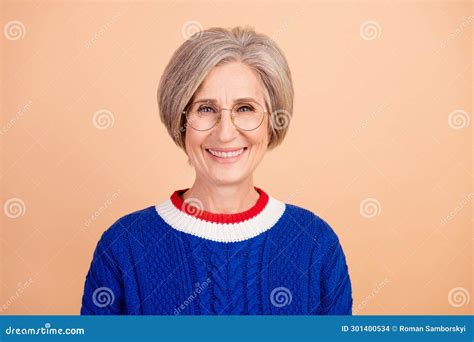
{"x":229,"y":82}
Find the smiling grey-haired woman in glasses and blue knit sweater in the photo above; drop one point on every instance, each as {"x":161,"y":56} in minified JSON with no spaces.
{"x":223,"y":246}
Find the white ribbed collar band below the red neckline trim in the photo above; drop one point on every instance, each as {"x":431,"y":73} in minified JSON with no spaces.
{"x":222,"y":232}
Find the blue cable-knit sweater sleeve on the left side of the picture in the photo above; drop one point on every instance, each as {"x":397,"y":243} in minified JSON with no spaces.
{"x":103,"y":289}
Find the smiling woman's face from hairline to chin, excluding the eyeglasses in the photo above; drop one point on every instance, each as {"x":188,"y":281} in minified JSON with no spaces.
{"x":225,"y":84}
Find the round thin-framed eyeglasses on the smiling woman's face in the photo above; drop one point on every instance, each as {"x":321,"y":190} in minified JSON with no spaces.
{"x":204,"y":115}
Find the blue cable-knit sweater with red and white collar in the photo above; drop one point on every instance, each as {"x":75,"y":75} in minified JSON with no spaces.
{"x":177,"y":259}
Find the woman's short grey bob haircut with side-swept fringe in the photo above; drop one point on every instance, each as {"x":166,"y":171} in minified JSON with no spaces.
{"x":216,"y":46}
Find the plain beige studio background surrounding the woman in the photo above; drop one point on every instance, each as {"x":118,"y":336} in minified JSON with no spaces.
{"x":382,"y":112}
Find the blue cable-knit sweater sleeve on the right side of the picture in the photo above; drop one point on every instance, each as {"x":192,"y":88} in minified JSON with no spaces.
{"x":336,"y":289}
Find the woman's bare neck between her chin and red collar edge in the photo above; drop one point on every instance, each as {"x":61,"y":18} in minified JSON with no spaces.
{"x":225,"y":199}
